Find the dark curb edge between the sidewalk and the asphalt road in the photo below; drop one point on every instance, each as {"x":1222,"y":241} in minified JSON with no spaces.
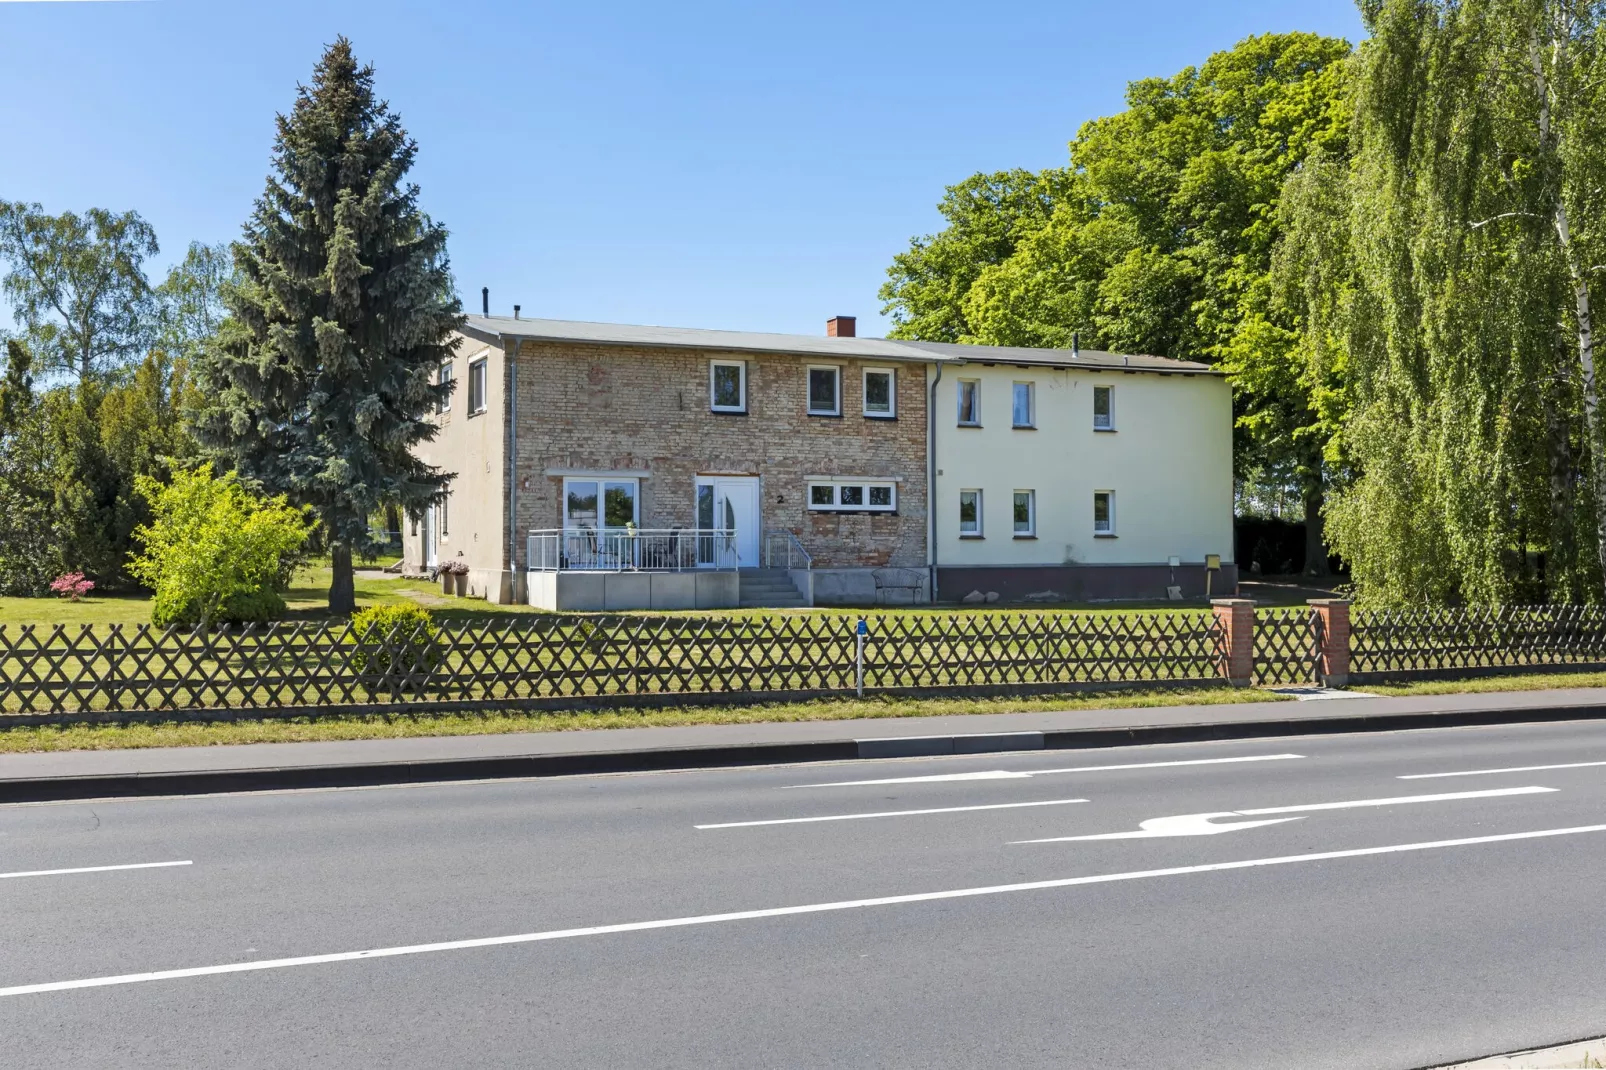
{"x":664,"y":759}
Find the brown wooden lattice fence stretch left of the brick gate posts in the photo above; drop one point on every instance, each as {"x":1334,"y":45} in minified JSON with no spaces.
{"x":552,"y":660}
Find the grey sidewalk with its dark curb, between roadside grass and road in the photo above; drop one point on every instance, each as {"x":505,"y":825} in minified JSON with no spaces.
{"x":263,"y":767}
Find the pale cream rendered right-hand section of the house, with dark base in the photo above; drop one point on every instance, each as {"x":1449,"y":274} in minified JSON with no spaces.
{"x":1082,"y":478}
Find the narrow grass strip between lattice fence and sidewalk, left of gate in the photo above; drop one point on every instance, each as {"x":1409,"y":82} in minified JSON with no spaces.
{"x":491,"y":724}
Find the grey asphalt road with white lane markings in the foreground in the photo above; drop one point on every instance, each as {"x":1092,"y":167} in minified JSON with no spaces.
{"x":931,"y":939}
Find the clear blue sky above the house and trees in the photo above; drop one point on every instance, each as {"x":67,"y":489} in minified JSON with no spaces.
{"x":748,"y":166}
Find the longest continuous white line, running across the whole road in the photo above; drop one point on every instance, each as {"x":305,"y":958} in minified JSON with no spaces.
{"x":778,"y":912}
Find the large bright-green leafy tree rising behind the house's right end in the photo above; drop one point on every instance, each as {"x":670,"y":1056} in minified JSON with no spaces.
{"x":1160,"y":239}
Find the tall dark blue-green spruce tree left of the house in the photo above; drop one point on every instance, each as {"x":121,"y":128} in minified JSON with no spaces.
{"x":324,"y":378}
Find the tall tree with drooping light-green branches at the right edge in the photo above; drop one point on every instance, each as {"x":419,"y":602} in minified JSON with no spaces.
{"x":1449,"y":269}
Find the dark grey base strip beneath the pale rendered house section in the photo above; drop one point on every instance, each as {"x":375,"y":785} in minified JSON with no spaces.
{"x":1083,"y":584}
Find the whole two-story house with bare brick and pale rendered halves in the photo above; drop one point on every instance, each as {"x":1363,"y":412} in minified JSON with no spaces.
{"x":611,"y":467}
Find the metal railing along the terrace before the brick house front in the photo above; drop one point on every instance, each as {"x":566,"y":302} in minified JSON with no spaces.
{"x":632,"y":550}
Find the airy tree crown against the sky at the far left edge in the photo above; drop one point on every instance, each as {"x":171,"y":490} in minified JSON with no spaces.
{"x":78,"y":287}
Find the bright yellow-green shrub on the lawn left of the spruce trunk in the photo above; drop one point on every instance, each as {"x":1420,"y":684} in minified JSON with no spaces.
{"x":213,"y":550}
